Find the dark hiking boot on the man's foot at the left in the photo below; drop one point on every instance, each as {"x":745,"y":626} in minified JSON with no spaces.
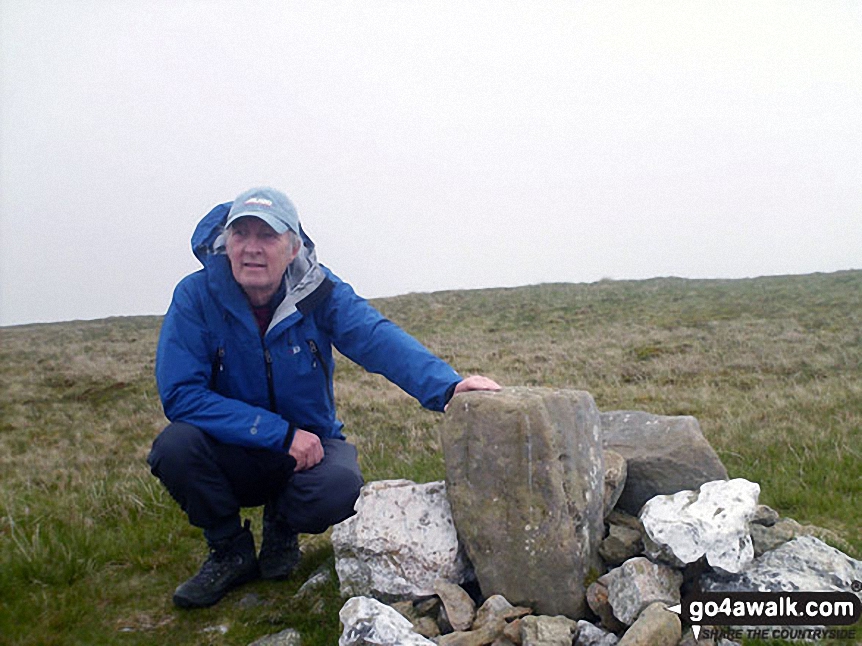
{"x":231,"y":562}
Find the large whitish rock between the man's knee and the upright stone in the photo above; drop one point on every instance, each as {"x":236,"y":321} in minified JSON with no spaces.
{"x":401,"y":540}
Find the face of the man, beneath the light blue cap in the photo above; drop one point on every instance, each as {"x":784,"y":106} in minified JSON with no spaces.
{"x":258,"y":257}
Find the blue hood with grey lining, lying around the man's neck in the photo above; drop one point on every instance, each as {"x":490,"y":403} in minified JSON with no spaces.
{"x":304,"y":275}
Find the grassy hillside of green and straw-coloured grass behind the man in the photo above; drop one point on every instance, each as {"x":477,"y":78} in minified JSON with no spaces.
{"x":91,"y":547}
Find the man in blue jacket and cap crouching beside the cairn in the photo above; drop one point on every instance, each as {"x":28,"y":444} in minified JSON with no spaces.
{"x":244,"y":368}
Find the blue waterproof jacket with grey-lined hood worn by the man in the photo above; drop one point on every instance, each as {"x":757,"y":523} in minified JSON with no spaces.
{"x":215,"y":372}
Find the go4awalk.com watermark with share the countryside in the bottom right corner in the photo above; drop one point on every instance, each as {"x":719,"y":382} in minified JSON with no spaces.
{"x":771,"y":615}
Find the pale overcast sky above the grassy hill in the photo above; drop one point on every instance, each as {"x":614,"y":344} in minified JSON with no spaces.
{"x":427,"y":145}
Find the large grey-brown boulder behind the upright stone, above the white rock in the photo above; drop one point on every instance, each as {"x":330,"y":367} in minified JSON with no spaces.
{"x":663,"y":455}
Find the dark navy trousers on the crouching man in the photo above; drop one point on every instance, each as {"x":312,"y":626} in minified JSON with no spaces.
{"x":211,"y":481}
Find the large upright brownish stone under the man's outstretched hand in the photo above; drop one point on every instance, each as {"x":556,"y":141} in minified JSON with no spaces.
{"x":525,"y":478}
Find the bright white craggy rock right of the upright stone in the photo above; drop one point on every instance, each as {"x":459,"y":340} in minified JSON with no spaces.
{"x":712,"y":522}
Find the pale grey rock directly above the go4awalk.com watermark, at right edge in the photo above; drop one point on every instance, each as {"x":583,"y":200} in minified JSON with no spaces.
{"x":804,"y":564}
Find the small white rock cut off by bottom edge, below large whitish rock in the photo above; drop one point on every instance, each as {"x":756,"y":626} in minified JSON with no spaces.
{"x":367,"y":621}
